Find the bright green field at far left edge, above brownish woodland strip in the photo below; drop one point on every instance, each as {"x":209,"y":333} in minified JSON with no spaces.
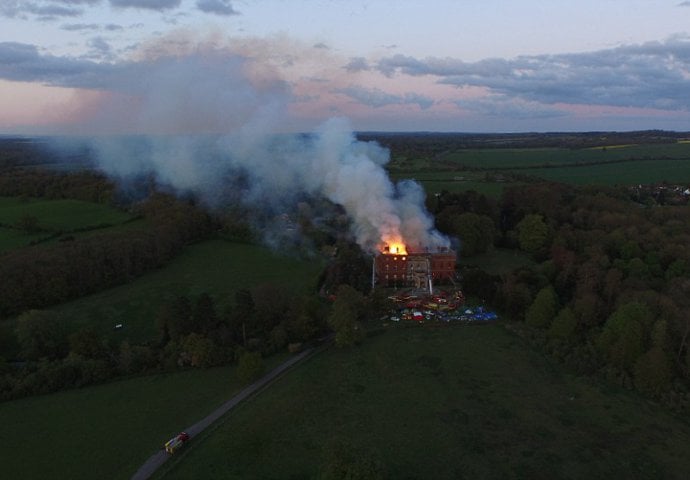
{"x":55,"y":216}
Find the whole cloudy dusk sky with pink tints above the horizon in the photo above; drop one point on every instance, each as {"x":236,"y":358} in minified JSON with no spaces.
{"x":208,"y":66}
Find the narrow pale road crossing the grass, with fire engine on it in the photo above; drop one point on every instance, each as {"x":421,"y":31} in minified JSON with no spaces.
{"x":158,"y":459}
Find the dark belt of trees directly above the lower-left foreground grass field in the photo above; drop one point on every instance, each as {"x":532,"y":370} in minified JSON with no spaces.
{"x":192,"y":332}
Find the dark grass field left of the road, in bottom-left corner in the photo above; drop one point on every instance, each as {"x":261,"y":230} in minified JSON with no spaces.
{"x":107,"y":431}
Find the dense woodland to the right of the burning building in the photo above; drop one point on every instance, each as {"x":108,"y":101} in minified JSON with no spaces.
{"x":608,"y":292}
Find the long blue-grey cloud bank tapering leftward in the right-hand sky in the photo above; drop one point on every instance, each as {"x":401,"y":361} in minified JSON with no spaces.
{"x":649,"y":75}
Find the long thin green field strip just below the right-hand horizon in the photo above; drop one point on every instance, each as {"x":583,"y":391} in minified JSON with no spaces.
{"x":507,"y":158}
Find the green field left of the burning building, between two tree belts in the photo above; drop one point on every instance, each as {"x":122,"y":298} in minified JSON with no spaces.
{"x":216,"y":266}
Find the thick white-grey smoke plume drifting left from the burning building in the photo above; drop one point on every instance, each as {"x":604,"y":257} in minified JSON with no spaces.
{"x":222,"y":120}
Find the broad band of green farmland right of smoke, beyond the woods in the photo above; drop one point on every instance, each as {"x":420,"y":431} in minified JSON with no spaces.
{"x":489,"y":170}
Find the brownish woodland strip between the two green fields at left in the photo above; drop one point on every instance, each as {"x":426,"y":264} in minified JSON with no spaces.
{"x":38,"y":277}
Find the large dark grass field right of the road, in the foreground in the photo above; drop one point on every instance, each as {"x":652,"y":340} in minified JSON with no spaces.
{"x":442,"y":403}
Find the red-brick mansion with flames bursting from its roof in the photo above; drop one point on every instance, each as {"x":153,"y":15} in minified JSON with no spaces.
{"x":399,"y":265}
